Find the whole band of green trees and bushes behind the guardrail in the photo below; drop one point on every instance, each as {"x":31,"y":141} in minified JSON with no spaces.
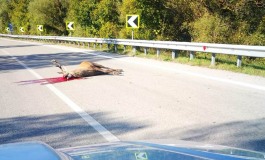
{"x":215,"y":21}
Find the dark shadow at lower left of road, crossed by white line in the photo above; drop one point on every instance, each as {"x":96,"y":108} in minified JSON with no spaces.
{"x":61,"y":130}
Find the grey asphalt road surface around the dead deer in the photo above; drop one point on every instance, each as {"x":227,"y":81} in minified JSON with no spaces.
{"x":151,"y":100}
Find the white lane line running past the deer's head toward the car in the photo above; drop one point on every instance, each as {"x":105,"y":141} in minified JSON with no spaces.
{"x":90,"y":120}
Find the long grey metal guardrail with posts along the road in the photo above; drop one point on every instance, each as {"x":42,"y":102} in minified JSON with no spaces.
{"x":239,"y":50}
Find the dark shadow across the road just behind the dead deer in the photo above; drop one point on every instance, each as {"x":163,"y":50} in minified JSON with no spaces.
{"x":36,"y":61}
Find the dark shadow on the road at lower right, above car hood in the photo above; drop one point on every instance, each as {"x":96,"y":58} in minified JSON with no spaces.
{"x":241,"y":134}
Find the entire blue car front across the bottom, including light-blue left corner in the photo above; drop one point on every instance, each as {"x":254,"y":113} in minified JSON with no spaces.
{"x":125,"y":150}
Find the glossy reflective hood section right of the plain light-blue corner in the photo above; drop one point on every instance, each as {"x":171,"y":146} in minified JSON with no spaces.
{"x":158,"y":150}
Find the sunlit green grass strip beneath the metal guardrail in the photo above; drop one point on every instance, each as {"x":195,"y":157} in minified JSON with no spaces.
{"x":254,"y":66}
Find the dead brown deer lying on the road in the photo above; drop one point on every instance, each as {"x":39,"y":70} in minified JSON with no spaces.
{"x":86,"y":69}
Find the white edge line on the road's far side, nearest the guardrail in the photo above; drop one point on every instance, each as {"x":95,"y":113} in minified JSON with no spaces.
{"x":253,"y":86}
